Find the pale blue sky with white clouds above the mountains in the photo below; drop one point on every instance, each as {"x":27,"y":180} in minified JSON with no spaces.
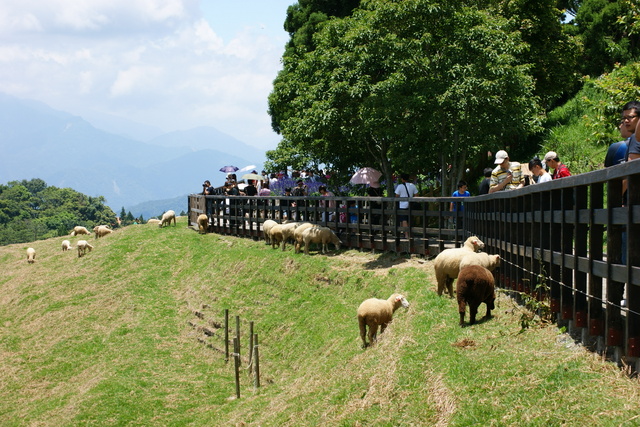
{"x":171,"y":64}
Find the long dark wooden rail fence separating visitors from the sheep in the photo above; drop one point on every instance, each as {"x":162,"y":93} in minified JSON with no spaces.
{"x":575,"y":235}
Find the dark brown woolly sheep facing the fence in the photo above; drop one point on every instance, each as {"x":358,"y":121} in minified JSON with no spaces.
{"x":475,"y":286}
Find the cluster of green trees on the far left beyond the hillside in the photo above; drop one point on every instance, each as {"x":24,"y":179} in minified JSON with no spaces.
{"x":31,"y":210}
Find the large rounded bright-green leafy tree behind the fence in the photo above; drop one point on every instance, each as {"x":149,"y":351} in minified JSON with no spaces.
{"x":409,"y":85}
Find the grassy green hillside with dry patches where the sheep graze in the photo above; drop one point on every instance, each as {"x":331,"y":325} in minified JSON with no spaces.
{"x":106,"y":339}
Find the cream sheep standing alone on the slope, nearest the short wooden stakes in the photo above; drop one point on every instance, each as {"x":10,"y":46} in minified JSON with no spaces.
{"x":375,"y":312}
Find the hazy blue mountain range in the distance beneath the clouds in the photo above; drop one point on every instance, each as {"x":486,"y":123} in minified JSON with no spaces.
{"x":64,"y":150}
